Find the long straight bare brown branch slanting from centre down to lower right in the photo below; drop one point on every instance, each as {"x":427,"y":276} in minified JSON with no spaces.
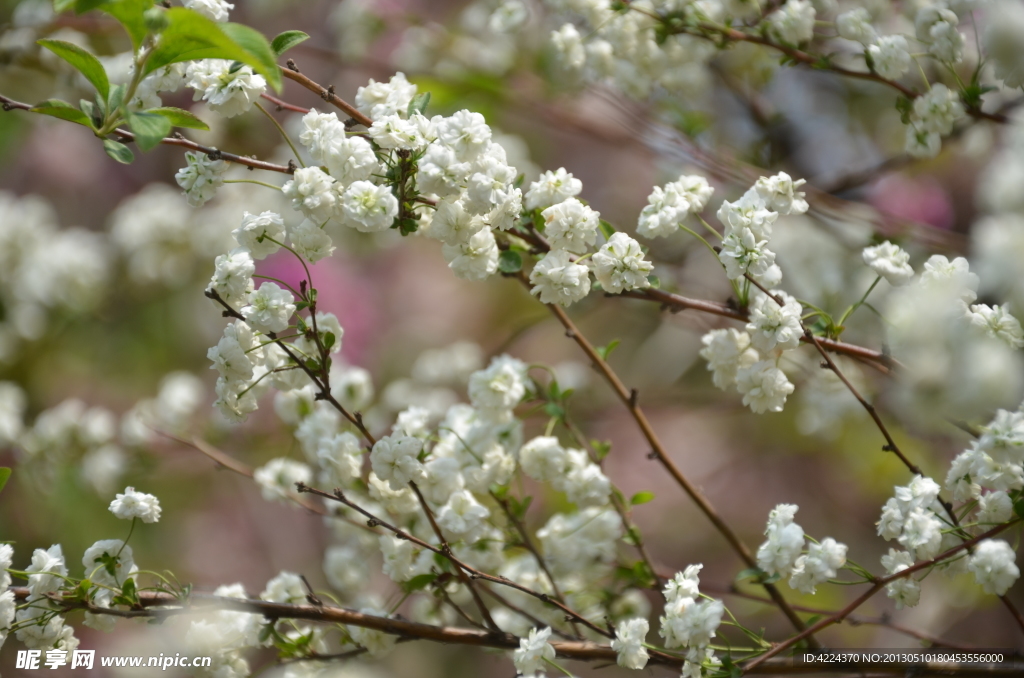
{"x":630,"y":400}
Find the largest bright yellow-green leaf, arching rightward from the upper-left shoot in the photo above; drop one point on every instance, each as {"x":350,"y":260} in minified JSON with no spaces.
{"x":191,"y":36}
